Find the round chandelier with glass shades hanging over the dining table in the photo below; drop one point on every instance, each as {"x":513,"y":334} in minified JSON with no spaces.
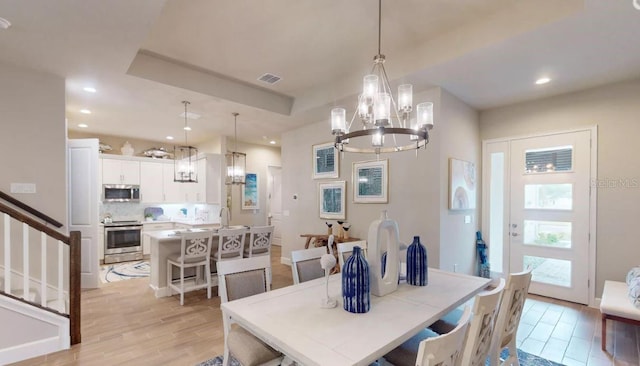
{"x":387,"y":131}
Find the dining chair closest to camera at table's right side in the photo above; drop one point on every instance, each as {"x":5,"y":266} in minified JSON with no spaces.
{"x":430,"y":349}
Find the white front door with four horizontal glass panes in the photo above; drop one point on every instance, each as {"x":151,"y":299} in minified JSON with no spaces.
{"x":549,"y":213}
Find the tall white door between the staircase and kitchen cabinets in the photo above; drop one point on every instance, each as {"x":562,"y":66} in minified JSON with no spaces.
{"x":82,"y":168}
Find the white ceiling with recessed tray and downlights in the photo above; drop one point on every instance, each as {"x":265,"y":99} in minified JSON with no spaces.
{"x":146,"y":56}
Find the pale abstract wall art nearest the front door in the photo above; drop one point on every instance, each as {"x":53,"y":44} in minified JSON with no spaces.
{"x":462,"y":185}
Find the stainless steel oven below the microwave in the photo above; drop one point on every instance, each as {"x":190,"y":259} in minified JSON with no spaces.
{"x":122,"y":241}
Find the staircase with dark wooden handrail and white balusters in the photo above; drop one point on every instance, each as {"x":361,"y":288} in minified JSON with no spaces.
{"x":39,"y":283}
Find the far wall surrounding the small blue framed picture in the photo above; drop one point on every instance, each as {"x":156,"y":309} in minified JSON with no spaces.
{"x":259,"y":158}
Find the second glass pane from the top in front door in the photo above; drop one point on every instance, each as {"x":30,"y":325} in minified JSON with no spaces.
{"x":548,"y":196}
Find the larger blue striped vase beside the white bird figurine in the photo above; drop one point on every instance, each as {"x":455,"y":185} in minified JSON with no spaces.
{"x":356,"y":294}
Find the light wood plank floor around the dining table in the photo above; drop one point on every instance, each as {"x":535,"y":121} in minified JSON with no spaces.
{"x":124,"y":324}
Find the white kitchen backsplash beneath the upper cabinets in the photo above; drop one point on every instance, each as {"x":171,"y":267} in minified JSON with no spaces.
{"x":135,"y":211}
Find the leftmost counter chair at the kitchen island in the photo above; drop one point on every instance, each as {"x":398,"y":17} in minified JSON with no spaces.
{"x":195,"y":249}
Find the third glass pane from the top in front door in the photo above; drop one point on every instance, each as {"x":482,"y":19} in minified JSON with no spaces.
{"x":555,"y":234}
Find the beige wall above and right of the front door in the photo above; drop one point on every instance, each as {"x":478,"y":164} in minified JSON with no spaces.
{"x":615,"y":109}
